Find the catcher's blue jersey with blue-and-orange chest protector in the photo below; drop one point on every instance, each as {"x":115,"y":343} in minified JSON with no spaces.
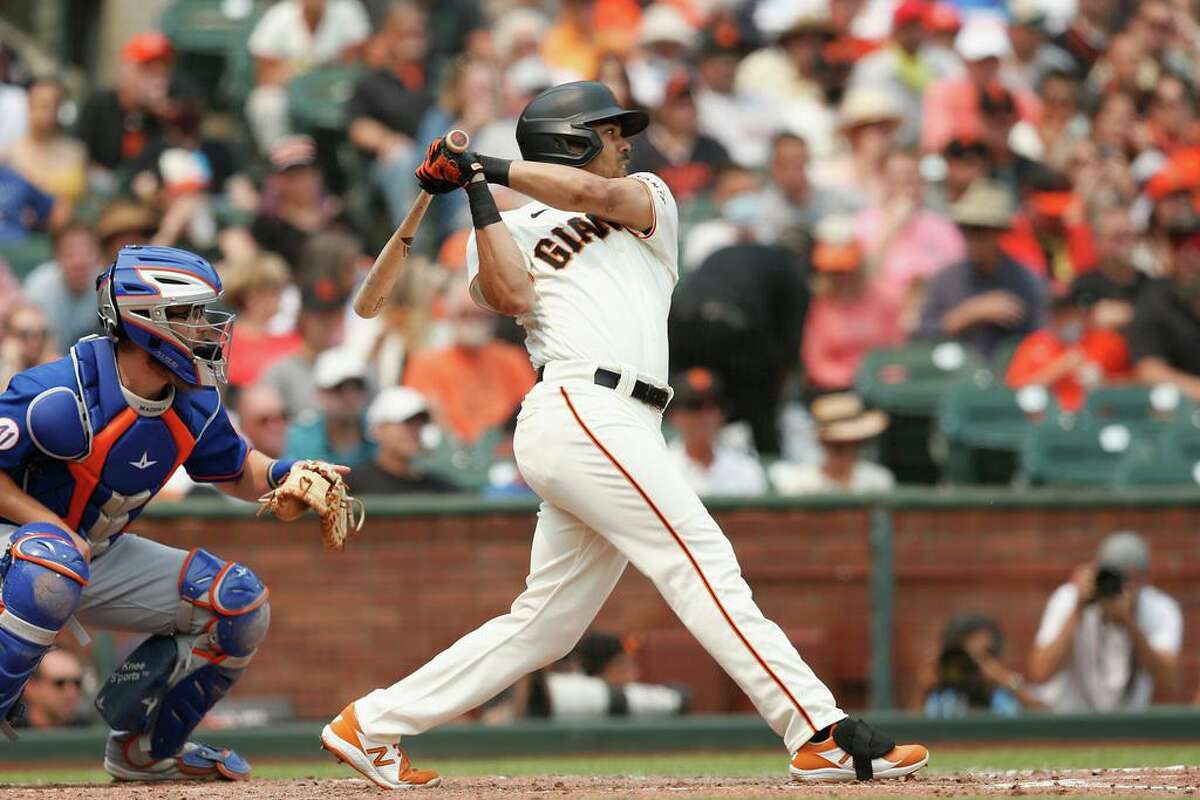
{"x":95,"y":455}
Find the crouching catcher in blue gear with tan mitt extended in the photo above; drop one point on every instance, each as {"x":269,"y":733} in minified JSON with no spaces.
{"x":86,"y":443}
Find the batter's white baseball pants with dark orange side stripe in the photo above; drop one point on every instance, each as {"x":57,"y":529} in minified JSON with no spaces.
{"x":611,"y":496}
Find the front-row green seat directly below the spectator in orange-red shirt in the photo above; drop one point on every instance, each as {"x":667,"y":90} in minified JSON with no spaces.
{"x":1066,"y":453}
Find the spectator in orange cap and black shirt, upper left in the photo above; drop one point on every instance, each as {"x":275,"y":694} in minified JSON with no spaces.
{"x":116,"y":125}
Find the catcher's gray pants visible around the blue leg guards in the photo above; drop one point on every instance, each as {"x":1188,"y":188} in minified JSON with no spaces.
{"x":135,"y":587}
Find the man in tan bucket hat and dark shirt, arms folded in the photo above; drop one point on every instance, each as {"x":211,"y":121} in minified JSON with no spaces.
{"x":988,"y":298}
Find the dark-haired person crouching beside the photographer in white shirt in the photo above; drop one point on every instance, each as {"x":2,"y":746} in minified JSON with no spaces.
{"x":968,"y":673}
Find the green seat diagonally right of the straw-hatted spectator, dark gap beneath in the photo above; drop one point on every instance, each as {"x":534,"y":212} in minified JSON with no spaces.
{"x":986,"y":425}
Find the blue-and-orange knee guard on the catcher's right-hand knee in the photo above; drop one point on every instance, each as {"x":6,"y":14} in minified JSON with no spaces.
{"x":236,"y":596}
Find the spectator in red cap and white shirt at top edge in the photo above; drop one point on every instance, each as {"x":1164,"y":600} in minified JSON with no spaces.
{"x":905,"y":68}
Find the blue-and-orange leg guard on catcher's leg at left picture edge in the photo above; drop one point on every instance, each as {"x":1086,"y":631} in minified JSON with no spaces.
{"x":44,"y":575}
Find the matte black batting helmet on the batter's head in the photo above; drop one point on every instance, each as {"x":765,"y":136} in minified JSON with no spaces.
{"x":555,"y":127}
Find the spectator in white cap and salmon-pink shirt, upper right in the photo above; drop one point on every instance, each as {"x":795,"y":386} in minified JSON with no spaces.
{"x":952,"y":107}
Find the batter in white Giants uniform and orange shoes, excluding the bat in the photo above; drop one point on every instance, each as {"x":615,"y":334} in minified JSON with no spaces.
{"x":589,"y":270}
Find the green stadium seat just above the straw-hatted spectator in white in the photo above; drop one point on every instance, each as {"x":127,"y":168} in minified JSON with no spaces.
{"x":911,"y":380}
